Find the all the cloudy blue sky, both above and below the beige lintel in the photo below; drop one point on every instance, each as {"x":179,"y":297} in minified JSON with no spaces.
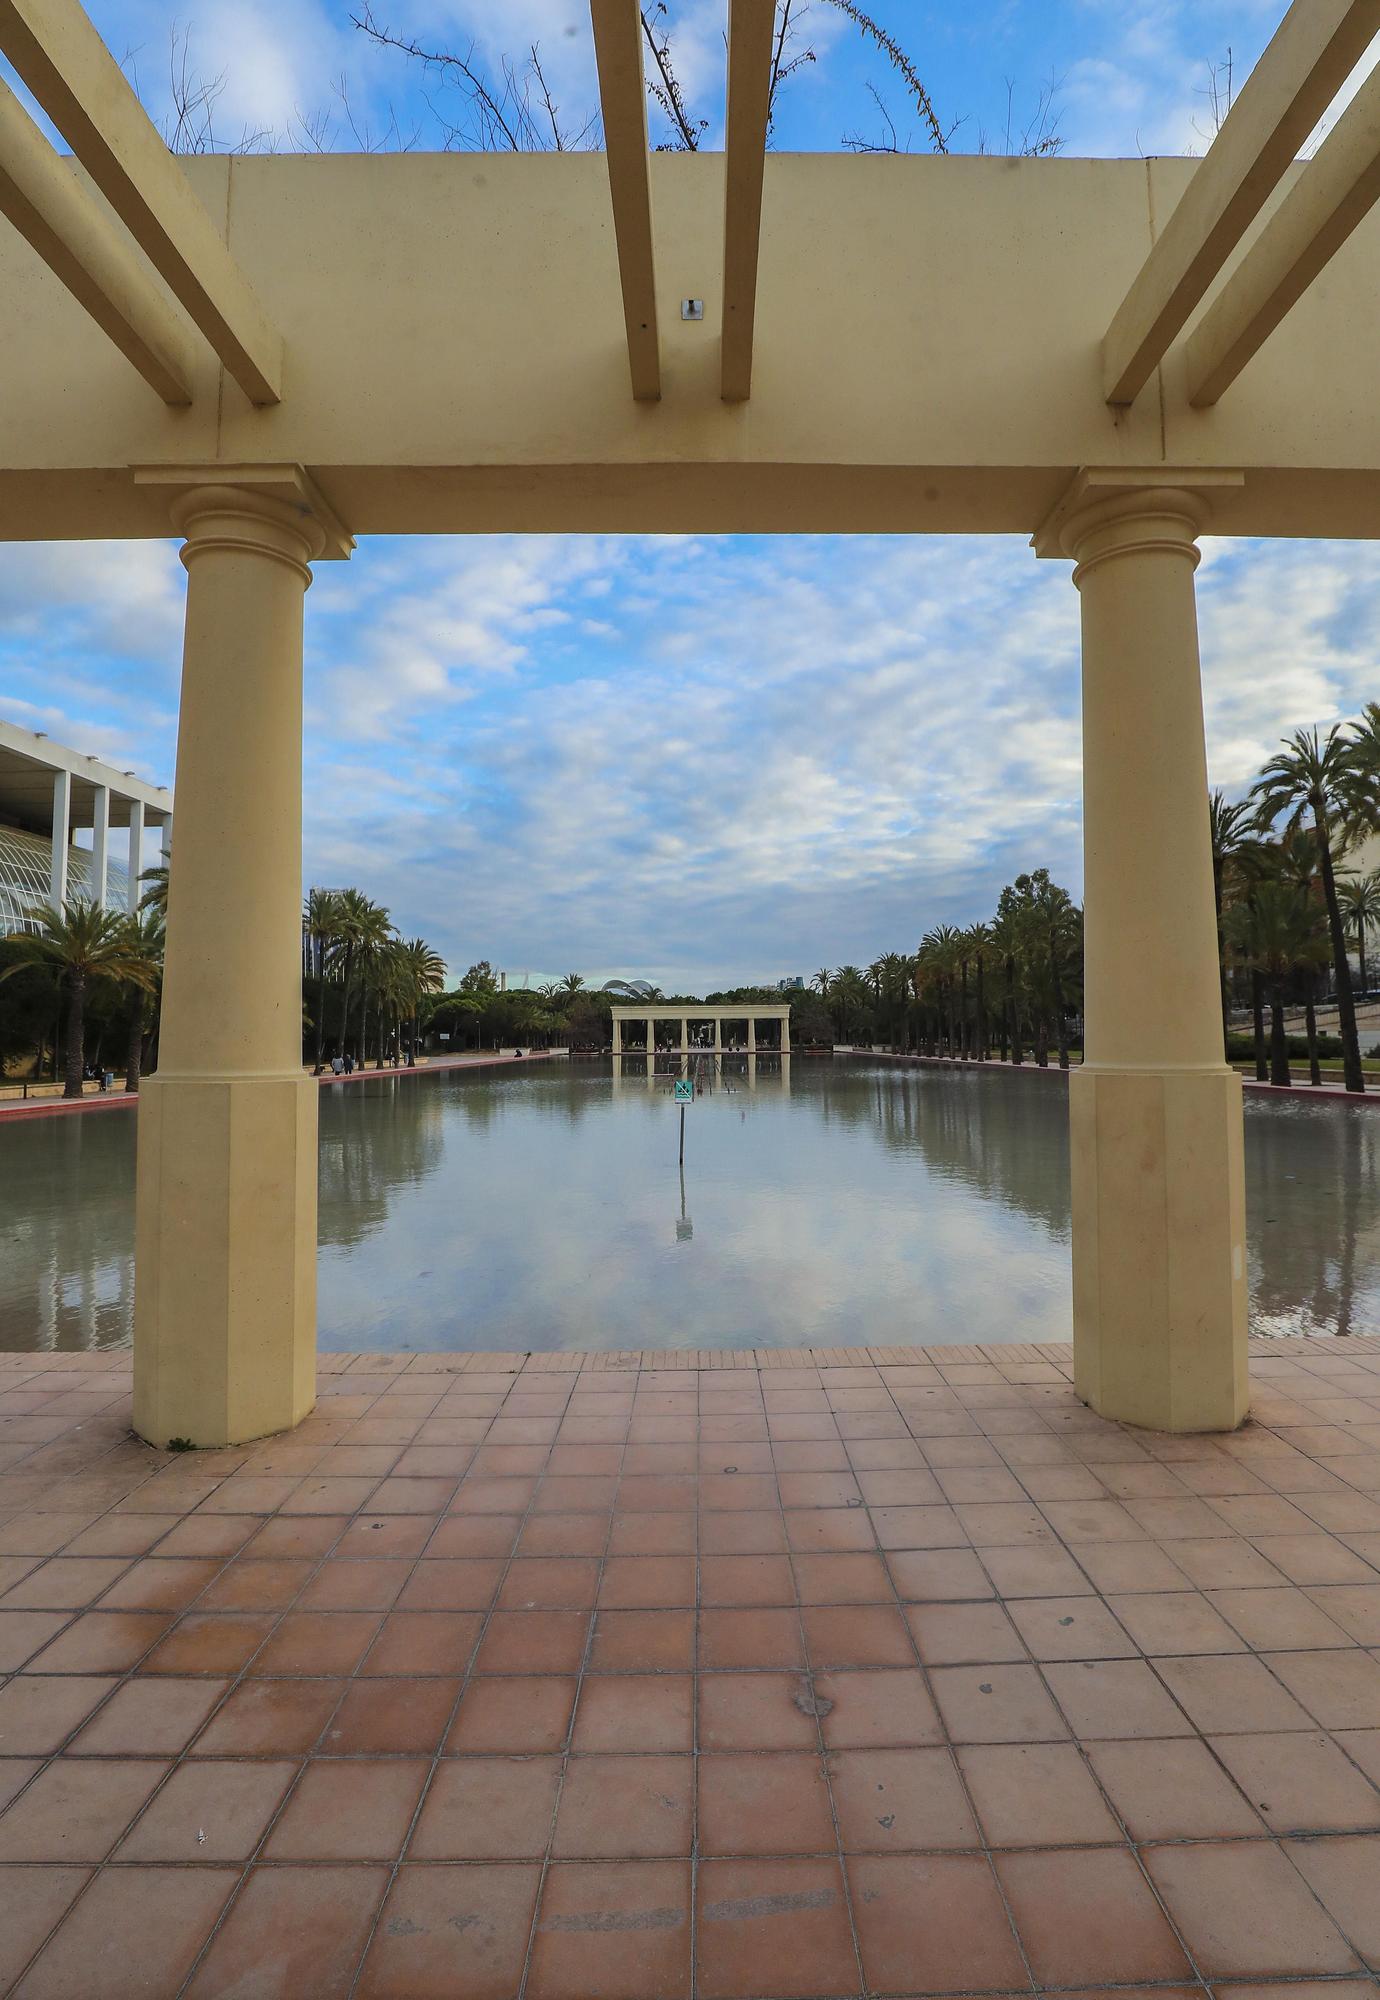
{"x":695,"y":759}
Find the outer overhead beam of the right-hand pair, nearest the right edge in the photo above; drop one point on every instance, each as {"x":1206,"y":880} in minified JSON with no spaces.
{"x":1311,"y":225}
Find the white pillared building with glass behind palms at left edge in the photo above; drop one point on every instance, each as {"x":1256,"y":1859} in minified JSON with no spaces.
{"x":47,"y":793}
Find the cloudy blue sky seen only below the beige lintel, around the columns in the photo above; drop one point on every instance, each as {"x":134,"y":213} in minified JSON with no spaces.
{"x":763,"y":755}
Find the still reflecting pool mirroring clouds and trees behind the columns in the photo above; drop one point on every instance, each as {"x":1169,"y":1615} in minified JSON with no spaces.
{"x":843,"y":1203}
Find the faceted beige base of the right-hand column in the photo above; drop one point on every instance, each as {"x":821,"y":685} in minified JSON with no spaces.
{"x":1159,"y":1203}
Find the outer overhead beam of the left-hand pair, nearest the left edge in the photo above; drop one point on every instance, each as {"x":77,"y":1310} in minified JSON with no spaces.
{"x":89,"y":253}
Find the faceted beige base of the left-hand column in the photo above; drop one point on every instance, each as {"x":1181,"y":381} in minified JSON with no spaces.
{"x":225,"y":1293}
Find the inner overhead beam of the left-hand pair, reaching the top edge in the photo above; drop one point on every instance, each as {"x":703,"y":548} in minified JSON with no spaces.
{"x":83,"y":89}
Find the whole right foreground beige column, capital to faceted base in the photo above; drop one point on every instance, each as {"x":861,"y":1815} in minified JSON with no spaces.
{"x":1159,"y":1211}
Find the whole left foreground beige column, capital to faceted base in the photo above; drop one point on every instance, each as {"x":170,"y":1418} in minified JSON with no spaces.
{"x":225,"y":1321}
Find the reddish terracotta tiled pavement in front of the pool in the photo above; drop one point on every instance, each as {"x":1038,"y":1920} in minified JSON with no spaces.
{"x":833,"y":1673}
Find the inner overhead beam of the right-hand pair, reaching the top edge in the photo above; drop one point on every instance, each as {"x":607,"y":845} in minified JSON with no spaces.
{"x":1315,"y":49}
